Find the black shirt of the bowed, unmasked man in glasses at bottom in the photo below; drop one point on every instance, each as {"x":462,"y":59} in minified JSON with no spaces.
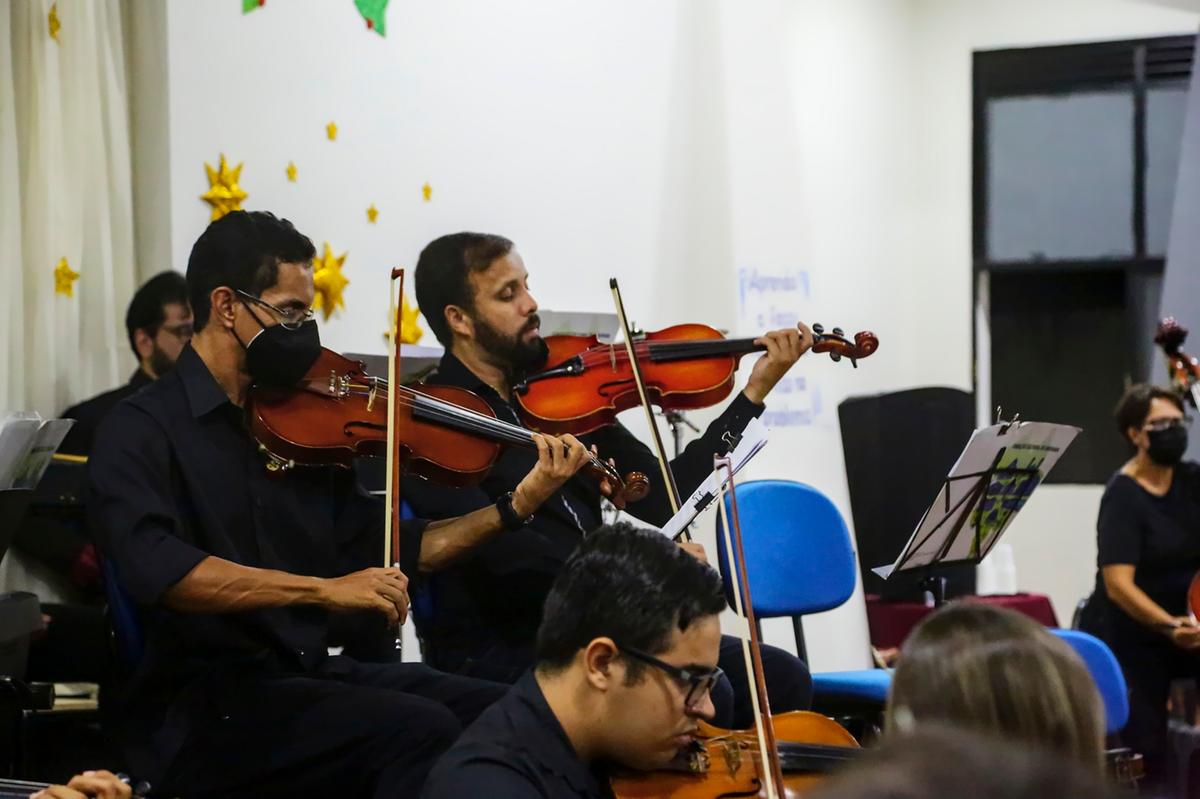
{"x":515,"y":750}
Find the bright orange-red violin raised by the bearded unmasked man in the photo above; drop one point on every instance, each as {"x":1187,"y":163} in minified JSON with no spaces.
{"x":683,"y":368}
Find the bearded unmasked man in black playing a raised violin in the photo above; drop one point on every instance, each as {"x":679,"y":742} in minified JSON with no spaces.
{"x":481,"y":616}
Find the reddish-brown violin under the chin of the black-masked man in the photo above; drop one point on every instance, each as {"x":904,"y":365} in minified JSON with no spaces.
{"x":446,"y":435}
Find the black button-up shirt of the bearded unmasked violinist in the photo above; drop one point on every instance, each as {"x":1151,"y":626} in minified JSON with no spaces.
{"x":494,"y":597}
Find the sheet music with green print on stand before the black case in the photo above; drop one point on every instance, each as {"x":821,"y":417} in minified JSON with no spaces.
{"x":1023,"y":446}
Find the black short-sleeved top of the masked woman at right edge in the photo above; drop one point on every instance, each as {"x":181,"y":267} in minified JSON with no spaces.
{"x":1159,"y":536}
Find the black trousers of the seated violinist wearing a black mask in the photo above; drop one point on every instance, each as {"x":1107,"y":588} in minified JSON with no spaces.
{"x":351,"y":730}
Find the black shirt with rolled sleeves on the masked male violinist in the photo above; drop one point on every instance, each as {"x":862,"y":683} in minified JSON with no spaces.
{"x":176,"y":477}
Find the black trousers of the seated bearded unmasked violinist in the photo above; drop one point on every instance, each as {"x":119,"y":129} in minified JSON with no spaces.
{"x":789,"y":683}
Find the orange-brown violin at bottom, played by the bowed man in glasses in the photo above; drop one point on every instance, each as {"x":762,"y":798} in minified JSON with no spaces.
{"x":727,"y":764}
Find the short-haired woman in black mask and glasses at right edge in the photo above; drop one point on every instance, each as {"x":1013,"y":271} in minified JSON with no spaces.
{"x":1149,"y":550}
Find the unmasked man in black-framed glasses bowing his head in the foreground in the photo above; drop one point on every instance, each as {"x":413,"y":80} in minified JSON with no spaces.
{"x":627,"y":657}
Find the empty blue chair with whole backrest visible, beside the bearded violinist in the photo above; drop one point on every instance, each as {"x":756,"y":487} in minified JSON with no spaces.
{"x":800,"y":561}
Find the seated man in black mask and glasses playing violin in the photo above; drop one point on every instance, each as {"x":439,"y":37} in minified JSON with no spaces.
{"x":236,"y":572}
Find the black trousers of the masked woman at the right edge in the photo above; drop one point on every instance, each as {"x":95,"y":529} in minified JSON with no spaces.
{"x":1149,"y":669}
